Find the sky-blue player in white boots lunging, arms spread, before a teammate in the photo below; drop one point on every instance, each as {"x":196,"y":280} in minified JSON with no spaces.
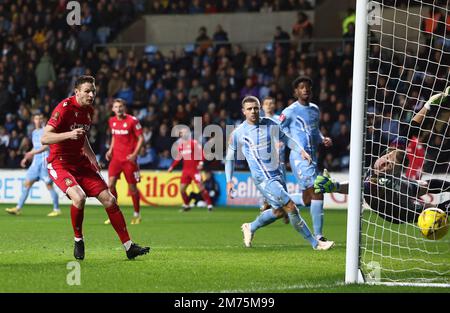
{"x":255,"y":139}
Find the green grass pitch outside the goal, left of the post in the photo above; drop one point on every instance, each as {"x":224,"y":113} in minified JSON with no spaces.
{"x":195,"y":251}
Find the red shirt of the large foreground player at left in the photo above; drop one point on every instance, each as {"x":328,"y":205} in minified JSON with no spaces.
{"x":69,"y":115}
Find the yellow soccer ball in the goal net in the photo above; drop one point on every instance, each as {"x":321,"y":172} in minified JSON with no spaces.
{"x":433,"y":223}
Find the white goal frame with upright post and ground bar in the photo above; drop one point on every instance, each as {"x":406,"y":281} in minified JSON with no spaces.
{"x":353,"y":274}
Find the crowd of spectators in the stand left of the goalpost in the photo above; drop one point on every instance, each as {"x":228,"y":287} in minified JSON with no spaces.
{"x":42,"y":55}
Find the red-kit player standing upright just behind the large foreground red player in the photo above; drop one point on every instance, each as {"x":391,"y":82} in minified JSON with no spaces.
{"x":126,"y":142}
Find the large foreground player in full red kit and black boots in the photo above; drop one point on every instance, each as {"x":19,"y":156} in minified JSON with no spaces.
{"x":74,"y":169}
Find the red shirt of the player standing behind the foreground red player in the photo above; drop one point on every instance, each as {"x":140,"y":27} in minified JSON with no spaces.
{"x":125,"y":133}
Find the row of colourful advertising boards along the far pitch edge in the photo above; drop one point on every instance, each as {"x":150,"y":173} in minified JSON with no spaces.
{"x":163,"y":189}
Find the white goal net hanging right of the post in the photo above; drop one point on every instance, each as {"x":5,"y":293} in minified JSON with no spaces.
{"x":408,"y":60}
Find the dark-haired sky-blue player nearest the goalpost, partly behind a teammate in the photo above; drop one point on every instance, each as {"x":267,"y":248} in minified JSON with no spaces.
{"x":301,"y":121}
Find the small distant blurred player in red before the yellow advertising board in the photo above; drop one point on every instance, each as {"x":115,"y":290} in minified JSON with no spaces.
{"x":190,"y":151}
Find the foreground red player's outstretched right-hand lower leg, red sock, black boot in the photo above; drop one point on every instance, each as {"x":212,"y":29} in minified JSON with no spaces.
{"x":118,"y":222}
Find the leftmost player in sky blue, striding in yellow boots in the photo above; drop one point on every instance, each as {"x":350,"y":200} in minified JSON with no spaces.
{"x":37,"y":170}
